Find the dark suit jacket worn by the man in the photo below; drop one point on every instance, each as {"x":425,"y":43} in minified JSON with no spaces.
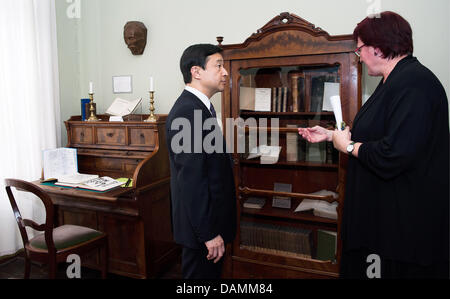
{"x":202,"y":184}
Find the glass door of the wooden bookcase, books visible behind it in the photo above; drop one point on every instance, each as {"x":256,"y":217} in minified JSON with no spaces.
{"x":288,"y":202}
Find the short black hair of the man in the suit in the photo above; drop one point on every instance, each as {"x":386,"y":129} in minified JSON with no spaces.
{"x":196,"y":55}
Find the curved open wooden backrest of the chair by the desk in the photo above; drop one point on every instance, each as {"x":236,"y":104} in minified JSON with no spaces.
{"x":47,"y":227}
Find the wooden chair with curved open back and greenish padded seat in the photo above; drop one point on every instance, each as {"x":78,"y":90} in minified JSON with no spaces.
{"x":55,"y":244}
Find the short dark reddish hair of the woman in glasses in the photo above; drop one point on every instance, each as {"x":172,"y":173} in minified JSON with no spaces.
{"x":389,"y":32}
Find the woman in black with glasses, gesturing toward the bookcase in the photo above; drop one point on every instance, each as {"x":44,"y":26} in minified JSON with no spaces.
{"x":397,"y":192}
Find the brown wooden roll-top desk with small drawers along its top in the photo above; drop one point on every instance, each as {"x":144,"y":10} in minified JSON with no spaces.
{"x":137,"y":219}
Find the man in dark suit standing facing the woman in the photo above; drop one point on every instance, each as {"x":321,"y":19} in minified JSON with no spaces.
{"x":202,"y":183}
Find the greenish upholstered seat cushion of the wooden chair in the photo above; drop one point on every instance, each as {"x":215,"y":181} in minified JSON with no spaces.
{"x":66,"y":236}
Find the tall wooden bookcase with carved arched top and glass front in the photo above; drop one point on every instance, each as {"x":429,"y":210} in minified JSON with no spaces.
{"x":294,"y":59}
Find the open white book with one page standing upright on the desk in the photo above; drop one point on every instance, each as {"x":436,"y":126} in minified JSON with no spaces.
{"x":61,"y":164}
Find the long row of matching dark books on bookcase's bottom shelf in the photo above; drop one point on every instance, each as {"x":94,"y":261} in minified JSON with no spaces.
{"x":277,"y":237}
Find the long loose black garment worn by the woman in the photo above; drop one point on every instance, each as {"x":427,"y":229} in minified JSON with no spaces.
{"x":397,"y":192}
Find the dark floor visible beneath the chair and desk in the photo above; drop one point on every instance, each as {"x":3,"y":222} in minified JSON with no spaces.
{"x":14,"y":269}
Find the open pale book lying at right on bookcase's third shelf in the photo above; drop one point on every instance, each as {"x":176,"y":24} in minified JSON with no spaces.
{"x":320,"y":208}
